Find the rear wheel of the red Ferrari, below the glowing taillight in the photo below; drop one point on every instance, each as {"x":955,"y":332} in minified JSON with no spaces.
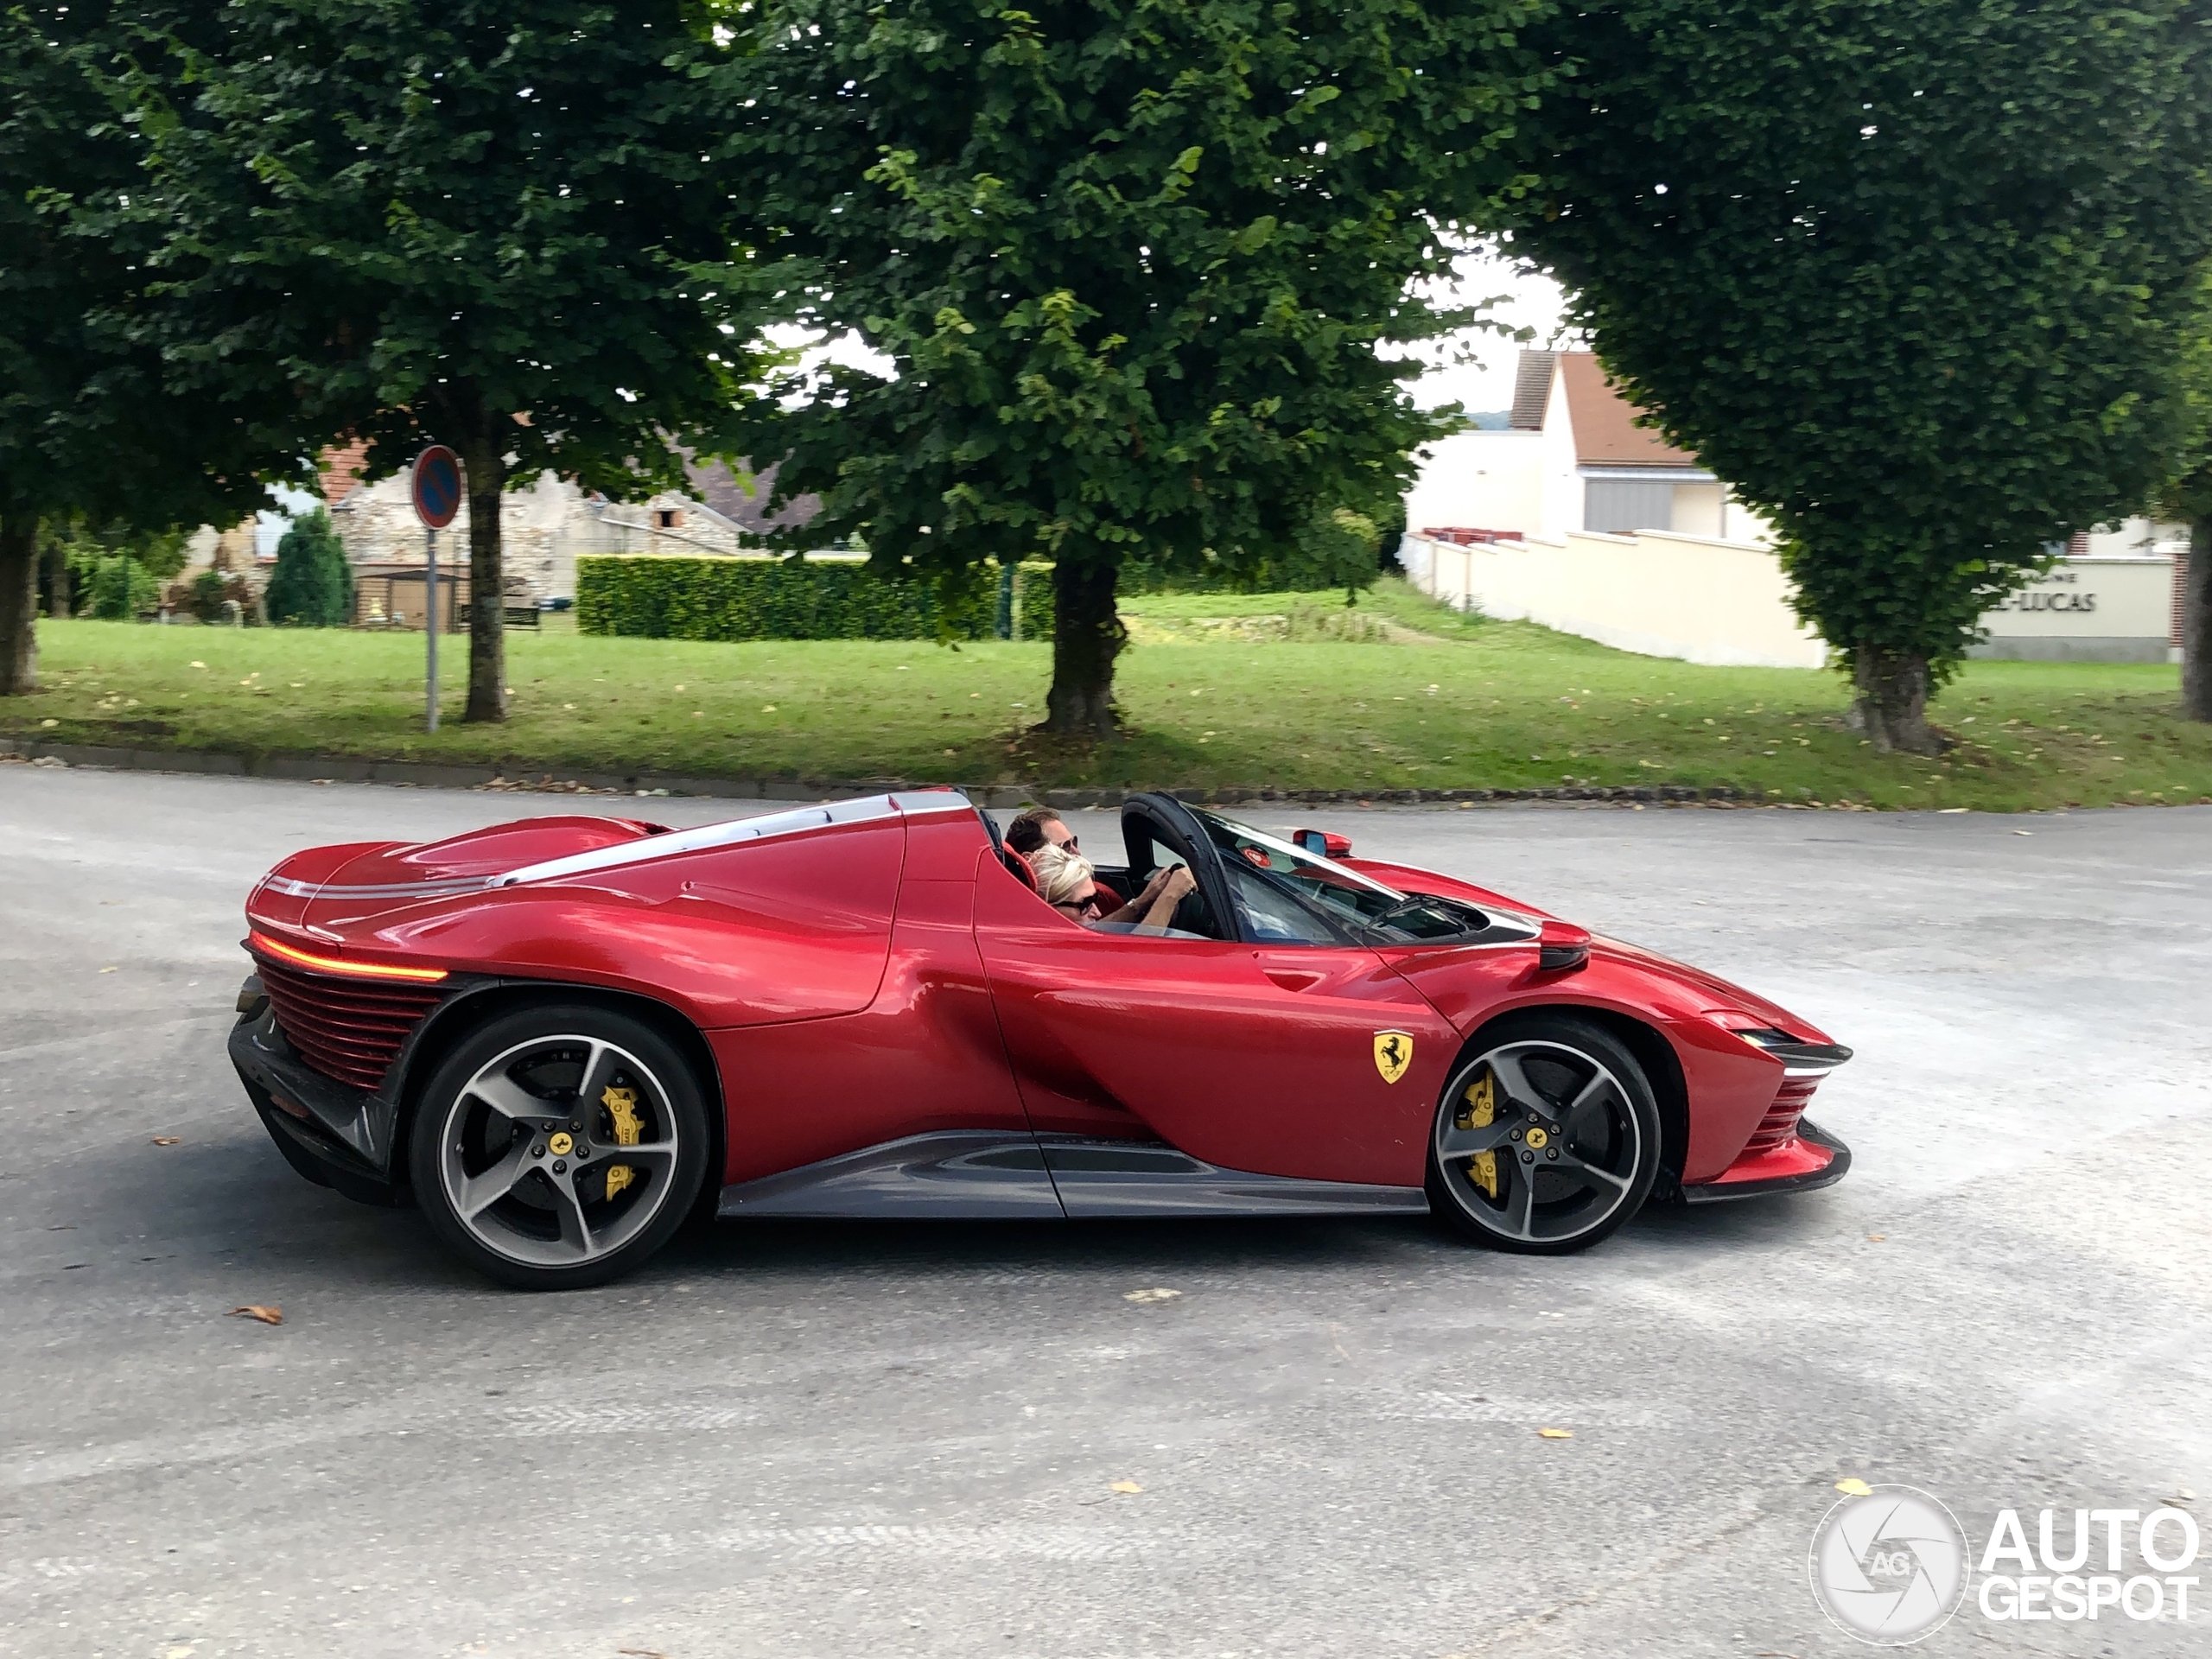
{"x":561,"y":1147}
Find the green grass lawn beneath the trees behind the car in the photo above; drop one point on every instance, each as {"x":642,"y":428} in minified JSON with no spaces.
{"x":1277,"y":700}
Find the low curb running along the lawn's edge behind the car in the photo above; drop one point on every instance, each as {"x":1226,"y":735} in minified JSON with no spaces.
{"x":437,"y":775}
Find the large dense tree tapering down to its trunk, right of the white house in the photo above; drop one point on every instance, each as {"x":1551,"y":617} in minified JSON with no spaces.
{"x":1912,"y":275}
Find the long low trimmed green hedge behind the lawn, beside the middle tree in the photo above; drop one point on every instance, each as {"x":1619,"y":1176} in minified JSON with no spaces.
{"x":722,"y":598}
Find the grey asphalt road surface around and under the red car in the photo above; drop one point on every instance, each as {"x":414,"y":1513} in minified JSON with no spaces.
{"x":906,"y":1439}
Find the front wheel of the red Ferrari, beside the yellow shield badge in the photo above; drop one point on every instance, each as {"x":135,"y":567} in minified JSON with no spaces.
{"x":1547,"y":1140}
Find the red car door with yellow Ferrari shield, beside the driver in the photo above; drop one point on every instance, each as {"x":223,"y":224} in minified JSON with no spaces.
{"x":1255,"y":1039}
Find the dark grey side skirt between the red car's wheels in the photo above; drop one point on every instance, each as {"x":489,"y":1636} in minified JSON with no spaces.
{"x":994,"y":1176}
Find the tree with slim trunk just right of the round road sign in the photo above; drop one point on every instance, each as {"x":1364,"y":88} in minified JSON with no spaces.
{"x":455,"y":222}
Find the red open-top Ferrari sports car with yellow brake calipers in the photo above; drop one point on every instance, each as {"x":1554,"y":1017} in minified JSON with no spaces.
{"x":563,"y":1036}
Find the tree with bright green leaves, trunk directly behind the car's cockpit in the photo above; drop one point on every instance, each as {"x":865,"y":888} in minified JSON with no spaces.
{"x":1131,"y":262}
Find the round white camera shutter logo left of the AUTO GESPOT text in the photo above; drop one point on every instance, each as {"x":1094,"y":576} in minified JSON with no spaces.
{"x":1890,"y":1567}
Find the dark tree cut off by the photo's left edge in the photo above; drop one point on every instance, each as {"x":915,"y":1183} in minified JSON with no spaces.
{"x":90,"y":421}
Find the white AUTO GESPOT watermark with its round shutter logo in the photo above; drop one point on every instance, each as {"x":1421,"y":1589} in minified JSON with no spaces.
{"x":1890,"y":1565}
